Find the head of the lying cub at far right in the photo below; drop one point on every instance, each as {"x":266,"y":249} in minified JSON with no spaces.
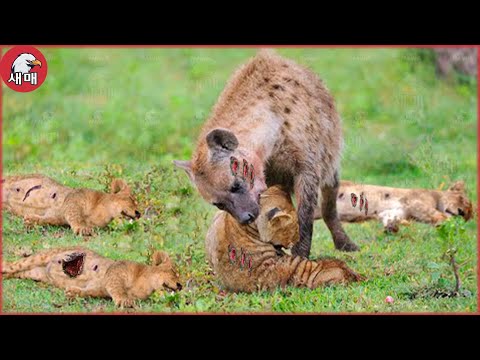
{"x":454,"y":201}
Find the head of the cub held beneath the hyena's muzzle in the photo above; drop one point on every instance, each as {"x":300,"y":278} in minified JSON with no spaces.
{"x":277,"y":222}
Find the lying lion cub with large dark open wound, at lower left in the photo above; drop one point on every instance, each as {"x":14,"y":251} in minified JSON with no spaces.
{"x":83,"y":273}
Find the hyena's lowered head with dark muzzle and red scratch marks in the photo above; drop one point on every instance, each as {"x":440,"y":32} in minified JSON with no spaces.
{"x":227,"y":175}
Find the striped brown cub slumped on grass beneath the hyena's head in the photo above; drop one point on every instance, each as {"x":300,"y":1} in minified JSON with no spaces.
{"x":247,"y":257}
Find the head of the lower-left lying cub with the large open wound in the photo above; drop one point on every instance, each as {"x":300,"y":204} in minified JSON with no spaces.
{"x":164,"y":274}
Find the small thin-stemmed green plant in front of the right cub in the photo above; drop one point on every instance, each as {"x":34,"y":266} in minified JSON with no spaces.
{"x":452,"y":232}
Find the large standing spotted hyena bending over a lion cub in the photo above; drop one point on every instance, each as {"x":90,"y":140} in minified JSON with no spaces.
{"x":281,"y":118}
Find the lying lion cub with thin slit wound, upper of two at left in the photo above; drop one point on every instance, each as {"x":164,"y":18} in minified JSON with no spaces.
{"x":39,"y":199}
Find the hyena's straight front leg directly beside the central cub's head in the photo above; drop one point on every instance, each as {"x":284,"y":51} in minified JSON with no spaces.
{"x":306,"y":194}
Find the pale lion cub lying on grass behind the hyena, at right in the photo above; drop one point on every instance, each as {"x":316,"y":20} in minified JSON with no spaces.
{"x":395,"y":205}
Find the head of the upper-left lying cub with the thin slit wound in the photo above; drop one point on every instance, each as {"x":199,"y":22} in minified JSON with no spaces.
{"x":122,"y":203}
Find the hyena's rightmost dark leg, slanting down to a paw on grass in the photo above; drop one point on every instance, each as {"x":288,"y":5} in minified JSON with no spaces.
{"x":330,"y":216}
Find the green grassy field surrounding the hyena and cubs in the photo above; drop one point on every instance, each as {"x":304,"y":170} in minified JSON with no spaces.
{"x":130,"y":112}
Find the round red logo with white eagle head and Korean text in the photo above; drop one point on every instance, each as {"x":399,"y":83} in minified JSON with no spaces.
{"x":23,"y":68}
